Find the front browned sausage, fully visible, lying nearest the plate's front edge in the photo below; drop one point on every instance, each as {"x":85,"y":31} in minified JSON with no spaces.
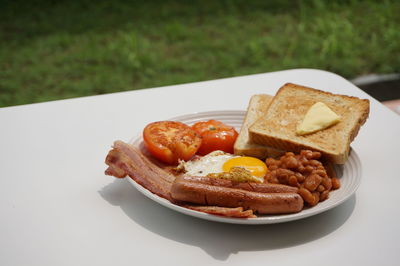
{"x":262,"y":203}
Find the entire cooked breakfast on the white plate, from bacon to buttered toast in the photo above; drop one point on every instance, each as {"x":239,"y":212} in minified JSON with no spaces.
{"x":265,"y":169}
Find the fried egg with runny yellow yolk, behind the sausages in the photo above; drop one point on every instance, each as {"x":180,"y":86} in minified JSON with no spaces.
{"x":221,"y":162}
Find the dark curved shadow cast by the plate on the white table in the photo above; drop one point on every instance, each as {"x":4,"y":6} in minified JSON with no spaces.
{"x":220,"y":240}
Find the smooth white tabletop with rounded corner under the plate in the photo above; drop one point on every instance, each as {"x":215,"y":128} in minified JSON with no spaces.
{"x":58,"y":208}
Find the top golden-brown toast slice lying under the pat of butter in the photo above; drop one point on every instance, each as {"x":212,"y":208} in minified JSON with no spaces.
{"x":288,"y":108}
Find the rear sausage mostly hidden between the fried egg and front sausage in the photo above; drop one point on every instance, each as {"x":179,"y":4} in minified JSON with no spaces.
{"x":255,"y":187}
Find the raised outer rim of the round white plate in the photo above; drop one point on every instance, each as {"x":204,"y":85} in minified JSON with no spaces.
{"x":264,"y":219}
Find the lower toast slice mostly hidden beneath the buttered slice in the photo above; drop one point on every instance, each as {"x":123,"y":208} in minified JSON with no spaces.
{"x":258,"y":106}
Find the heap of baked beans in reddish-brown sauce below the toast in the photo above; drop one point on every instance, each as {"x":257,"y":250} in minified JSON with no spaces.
{"x":305,"y":171}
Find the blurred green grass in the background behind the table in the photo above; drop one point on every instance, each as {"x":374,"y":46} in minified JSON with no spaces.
{"x":62,"y":49}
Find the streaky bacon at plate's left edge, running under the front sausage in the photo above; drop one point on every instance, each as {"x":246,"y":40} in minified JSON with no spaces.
{"x":126,"y":160}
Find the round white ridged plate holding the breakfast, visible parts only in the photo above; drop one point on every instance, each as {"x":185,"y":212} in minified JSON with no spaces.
{"x":349,"y":174}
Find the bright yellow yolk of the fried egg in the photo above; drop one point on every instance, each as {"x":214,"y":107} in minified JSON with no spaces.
{"x":255,"y":166}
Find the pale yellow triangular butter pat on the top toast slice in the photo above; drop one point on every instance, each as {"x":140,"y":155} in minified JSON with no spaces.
{"x":318,"y":117}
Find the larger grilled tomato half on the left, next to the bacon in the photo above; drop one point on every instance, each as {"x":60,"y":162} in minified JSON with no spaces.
{"x":170,"y":141}
